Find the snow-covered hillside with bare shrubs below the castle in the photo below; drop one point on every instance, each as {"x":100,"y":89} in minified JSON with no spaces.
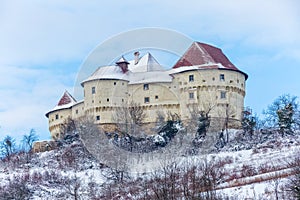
{"x":242,"y":169}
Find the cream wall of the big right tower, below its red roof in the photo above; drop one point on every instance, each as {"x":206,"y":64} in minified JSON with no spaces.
{"x":211,"y":90}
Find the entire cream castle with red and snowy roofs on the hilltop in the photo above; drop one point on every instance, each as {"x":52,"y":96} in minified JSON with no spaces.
{"x":202,"y":78}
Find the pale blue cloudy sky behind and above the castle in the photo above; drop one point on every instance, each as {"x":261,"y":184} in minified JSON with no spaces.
{"x":43,"y":45}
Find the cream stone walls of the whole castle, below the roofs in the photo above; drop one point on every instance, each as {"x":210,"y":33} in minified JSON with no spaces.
{"x":220,"y":91}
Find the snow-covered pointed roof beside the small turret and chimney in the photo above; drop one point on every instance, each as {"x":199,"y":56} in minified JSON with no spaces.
{"x":147,"y":63}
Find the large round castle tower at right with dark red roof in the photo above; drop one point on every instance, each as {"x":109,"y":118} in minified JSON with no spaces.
{"x":209,"y":81}
